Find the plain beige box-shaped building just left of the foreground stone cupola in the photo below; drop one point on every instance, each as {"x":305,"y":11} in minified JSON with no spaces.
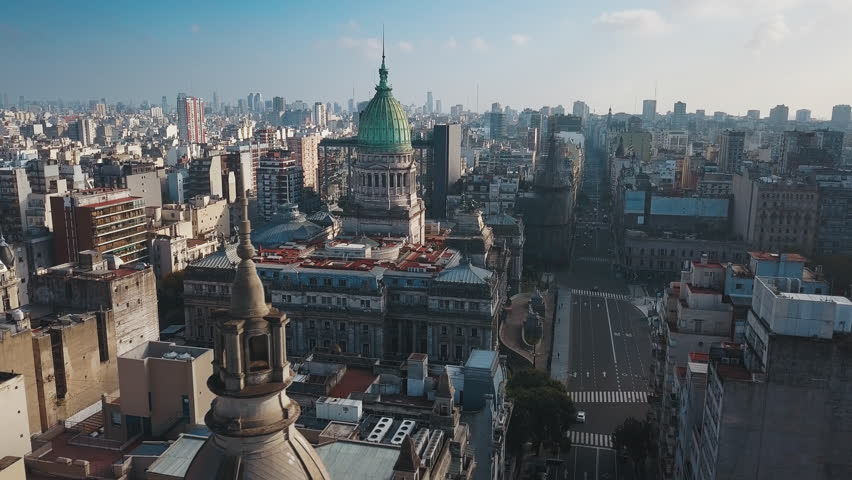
{"x":163,"y":386}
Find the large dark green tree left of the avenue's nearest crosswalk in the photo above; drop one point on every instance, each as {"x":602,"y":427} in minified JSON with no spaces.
{"x":542,"y":414}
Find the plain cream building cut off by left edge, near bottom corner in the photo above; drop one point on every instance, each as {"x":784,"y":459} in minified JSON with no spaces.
{"x":15,"y":434}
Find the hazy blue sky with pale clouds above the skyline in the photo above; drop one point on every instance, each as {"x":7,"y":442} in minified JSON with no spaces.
{"x":729,"y":55}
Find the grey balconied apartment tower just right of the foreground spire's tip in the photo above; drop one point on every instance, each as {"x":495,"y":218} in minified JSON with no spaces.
{"x":279,"y":182}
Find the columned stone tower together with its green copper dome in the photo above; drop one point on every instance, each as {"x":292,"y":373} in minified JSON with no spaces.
{"x":383,"y":181}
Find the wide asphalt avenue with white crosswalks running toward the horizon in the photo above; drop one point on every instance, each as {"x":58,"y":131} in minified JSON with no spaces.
{"x":601,"y":348}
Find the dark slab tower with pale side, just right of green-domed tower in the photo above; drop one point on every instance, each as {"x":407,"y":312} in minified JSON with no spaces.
{"x":446,"y":158}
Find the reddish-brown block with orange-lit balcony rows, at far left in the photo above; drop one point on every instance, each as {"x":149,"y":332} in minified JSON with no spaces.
{"x":106,"y":220}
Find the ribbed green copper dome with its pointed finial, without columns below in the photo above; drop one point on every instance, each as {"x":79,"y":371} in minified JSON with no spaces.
{"x":383,"y":124}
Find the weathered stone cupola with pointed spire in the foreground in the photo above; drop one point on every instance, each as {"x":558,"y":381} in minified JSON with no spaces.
{"x":252,"y":420}
